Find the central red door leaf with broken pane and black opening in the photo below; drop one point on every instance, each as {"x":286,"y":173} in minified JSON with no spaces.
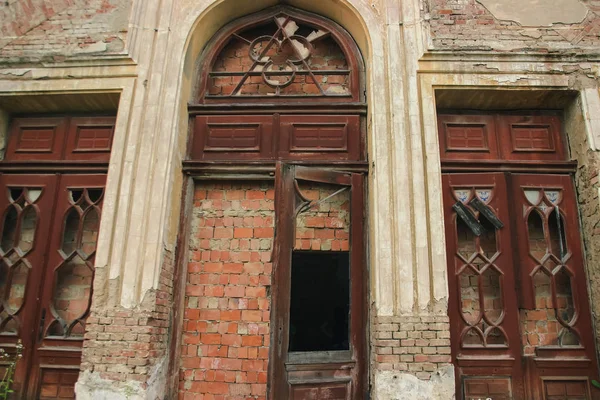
{"x":319,"y":302}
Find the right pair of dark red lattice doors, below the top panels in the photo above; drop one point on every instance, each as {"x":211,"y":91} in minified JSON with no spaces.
{"x":520,"y":322}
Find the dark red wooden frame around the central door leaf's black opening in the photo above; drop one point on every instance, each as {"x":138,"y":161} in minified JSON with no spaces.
{"x":285,"y":217}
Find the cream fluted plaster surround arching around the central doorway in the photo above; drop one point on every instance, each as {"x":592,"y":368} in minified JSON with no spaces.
{"x":407,"y":261}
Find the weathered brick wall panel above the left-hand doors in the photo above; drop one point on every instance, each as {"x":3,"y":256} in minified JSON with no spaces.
{"x":53,"y":30}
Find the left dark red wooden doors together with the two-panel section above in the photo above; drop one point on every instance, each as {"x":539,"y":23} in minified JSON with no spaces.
{"x":48,"y":235}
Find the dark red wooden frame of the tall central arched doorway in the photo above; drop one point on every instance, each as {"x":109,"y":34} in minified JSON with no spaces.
{"x":262,"y":167}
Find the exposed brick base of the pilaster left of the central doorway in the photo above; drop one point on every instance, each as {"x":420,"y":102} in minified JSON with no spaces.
{"x":125,"y":352}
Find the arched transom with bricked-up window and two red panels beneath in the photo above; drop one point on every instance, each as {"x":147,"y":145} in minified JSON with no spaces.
{"x":280,"y":85}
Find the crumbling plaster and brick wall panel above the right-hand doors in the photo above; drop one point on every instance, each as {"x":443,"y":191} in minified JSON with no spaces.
{"x":565,"y":26}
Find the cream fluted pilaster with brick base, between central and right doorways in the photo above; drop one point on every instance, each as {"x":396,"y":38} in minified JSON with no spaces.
{"x":411,"y":340}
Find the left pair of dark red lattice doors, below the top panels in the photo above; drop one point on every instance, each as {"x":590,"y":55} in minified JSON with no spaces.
{"x":65,"y":220}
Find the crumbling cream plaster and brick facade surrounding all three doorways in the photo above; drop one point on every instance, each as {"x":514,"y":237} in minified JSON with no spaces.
{"x":407,"y":250}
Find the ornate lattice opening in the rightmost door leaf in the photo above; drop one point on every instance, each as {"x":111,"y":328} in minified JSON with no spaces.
{"x":552,"y":272}
